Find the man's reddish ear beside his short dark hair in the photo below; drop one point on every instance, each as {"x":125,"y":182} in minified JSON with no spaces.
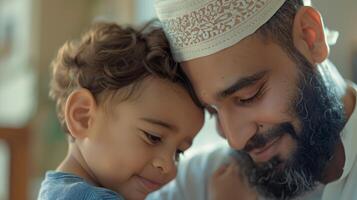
{"x":309,"y":36}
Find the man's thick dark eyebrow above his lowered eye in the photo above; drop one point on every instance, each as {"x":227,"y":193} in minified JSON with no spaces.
{"x":242,"y":83}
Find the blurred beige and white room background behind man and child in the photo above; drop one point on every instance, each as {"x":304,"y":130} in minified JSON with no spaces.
{"x":31,"y":31}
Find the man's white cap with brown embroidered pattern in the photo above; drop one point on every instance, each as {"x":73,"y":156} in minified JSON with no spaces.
{"x":197,"y":28}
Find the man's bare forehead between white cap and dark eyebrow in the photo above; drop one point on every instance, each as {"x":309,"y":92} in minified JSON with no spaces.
{"x":228,"y":65}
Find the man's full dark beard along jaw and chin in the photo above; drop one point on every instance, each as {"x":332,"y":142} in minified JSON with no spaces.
{"x":321,"y":116}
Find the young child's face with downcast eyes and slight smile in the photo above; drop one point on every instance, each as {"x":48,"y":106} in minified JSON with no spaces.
{"x":132,"y":149}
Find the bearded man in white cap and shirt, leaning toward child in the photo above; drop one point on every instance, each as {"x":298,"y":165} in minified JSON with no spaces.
{"x":261,"y":68}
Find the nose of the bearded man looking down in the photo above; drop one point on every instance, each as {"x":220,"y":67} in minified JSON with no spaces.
{"x":237,"y":128}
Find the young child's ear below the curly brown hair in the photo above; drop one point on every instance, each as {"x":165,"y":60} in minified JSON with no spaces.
{"x":79,"y":112}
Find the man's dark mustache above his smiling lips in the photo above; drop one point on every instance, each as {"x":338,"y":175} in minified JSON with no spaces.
{"x":259,"y":140}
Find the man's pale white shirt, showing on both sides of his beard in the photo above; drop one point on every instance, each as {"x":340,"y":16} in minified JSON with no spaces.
{"x":194,"y":172}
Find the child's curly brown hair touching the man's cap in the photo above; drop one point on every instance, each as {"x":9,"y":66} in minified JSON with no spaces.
{"x":110,"y":59}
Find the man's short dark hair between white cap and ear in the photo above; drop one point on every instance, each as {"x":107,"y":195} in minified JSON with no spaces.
{"x":279,"y":28}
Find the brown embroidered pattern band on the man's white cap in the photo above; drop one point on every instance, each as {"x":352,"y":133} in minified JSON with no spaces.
{"x":211,"y":20}
